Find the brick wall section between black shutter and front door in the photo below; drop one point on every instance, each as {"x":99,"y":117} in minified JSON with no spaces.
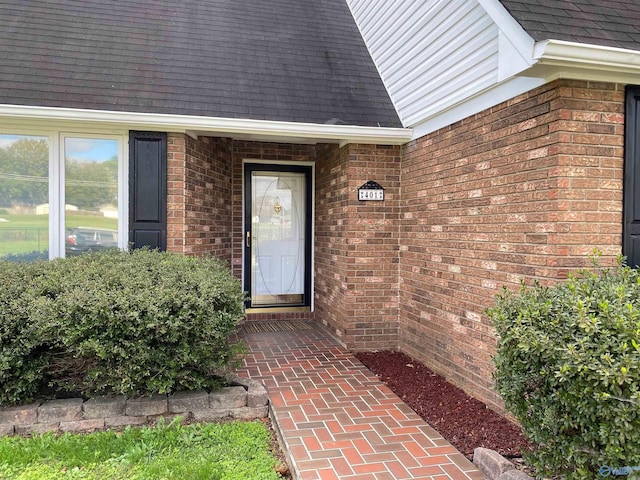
{"x":199,"y":208}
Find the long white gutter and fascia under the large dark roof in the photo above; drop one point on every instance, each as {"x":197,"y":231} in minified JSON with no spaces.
{"x":215,"y":126}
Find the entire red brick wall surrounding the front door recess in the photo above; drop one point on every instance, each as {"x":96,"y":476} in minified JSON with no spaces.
{"x":524,"y":190}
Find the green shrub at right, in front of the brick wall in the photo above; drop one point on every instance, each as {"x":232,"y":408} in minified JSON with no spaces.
{"x":568,"y":367}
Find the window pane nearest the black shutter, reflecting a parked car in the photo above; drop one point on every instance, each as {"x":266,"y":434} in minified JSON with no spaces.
{"x":91,"y":194}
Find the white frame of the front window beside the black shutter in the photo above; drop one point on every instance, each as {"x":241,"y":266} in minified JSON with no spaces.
{"x":56,"y":139}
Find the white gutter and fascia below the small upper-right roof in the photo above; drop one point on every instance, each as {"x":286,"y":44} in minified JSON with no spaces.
{"x":585,"y":56}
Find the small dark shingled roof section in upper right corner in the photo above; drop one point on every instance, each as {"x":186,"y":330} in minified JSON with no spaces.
{"x":609,"y":23}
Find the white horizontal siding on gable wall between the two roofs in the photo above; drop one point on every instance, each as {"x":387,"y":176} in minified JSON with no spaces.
{"x":431,"y":54}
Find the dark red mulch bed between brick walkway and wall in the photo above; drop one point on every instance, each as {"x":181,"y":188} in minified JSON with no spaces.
{"x":464,"y":421}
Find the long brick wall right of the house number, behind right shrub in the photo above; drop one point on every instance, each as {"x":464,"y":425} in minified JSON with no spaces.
{"x":526,"y":189}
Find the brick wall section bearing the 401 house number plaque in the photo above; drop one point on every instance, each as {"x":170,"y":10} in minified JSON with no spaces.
{"x":356,"y":270}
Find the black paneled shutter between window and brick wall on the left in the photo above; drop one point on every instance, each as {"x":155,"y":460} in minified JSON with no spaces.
{"x":148,"y":190}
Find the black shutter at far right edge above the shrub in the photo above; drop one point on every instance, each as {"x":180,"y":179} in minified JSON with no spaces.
{"x":631,"y":229}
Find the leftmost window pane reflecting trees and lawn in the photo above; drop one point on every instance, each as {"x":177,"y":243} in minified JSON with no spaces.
{"x":24,"y":197}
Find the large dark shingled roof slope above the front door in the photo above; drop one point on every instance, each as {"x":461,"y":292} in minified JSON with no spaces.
{"x":277,"y":60}
